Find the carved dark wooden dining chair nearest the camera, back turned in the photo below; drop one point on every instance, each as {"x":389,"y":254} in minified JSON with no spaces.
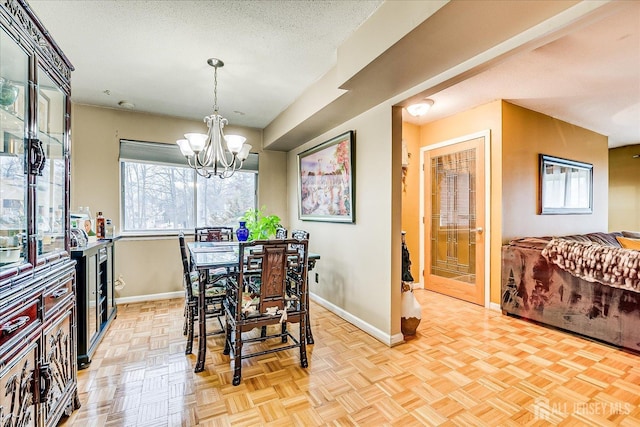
{"x":262,"y":293}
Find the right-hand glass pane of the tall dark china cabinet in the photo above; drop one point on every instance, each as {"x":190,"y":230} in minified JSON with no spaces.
{"x":50,"y":194}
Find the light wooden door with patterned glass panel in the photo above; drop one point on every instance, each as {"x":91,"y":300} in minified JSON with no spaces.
{"x":454,"y":209}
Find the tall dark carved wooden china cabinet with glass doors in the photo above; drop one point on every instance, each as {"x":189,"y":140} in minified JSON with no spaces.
{"x":38,"y":371}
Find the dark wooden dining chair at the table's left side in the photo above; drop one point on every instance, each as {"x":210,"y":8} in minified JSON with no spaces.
{"x":214,"y":294}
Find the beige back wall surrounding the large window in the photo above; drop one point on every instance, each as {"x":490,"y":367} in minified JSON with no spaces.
{"x":149,"y":266}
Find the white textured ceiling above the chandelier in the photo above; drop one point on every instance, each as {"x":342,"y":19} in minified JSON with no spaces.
{"x":153,"y":53}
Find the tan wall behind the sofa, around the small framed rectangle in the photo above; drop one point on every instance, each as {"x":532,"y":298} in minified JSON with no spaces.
{"x":526,"y":134}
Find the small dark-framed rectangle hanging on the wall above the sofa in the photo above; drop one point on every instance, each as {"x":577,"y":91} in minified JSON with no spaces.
{"x":566,"y":186}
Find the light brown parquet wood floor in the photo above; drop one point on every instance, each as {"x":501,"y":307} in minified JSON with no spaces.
{"x":467,"y":366}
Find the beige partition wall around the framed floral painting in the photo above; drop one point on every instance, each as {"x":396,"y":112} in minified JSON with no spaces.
{"x":359,"y":261}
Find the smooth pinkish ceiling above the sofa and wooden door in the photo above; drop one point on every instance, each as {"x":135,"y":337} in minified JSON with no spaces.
{"x":589,"y":77}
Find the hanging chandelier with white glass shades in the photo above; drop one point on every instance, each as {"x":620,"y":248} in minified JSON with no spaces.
{"x":214,"y":153}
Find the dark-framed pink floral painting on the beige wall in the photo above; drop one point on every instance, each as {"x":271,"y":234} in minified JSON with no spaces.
{"x":326,"y":181}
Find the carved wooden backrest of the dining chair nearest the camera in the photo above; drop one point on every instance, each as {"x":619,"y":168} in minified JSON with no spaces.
{"x":271,"y":261}
